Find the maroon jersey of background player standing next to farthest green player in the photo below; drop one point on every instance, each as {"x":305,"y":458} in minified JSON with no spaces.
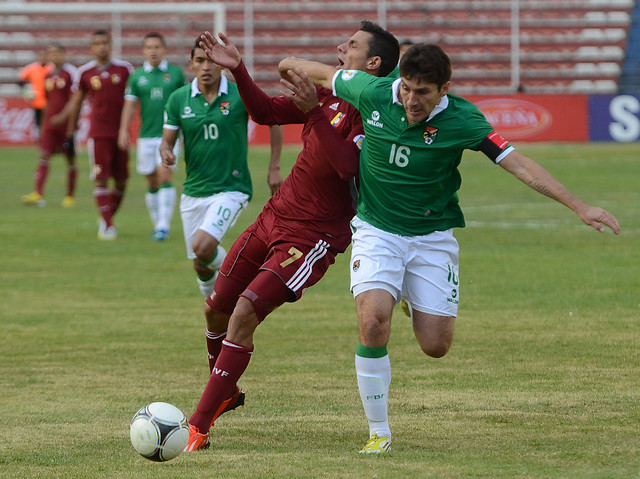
{"x":104,"y":86}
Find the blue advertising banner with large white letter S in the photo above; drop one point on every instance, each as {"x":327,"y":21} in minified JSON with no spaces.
{"x":614,"y":118}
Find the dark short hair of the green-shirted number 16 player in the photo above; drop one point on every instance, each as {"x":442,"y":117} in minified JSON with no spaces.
{"x":426,"y":62}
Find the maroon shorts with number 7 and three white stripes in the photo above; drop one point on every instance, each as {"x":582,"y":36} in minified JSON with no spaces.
{"x":270,"y":265}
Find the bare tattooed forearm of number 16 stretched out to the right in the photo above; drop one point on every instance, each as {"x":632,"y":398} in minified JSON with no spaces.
{"x":536,"y":177}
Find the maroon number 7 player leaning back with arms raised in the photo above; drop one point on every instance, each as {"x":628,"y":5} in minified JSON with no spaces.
{"x":301,"y":228}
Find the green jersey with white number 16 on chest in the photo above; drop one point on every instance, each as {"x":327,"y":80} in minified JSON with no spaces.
{"x":409,"y":175}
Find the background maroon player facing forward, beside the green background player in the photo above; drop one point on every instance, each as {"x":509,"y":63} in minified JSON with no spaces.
{"x":103,"y":81}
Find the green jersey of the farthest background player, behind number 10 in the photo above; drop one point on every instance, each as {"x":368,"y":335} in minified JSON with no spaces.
{"x":151,"y":87}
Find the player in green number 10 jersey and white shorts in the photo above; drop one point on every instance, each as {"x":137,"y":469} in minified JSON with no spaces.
{"x":213,"y":120}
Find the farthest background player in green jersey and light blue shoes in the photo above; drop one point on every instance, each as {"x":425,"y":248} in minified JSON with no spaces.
{"x":151,"y":86}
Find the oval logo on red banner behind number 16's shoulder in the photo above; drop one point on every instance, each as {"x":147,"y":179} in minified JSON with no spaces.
{"x":516,"y":119}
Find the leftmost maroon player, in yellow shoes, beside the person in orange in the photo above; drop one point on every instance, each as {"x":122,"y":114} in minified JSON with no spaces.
{"x":57,"y":86}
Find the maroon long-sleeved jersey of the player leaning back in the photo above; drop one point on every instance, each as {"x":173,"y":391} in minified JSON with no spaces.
{"x":317,"y":195}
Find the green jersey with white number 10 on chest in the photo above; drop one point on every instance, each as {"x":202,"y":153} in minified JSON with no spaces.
{"x":215,"y":139}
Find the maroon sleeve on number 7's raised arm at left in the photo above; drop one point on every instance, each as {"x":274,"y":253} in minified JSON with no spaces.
{"x":265,"y":109}
